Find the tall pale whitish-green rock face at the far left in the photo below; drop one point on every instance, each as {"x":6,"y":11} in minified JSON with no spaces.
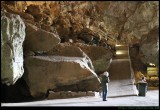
{"x":12,"y":37}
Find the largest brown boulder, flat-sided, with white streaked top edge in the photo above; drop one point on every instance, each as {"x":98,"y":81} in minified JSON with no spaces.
{"x":48,"y":72}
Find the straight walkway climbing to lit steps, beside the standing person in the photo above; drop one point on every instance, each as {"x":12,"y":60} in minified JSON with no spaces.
{"x":121,"y":74}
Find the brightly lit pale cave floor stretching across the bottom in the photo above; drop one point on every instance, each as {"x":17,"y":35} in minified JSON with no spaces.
{"x":150,"y":100}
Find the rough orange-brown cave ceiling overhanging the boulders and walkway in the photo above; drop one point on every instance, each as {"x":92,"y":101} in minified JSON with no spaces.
{"x":123,"y":21}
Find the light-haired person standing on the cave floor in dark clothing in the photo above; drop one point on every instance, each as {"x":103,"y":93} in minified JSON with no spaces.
{"x":104,"y":84}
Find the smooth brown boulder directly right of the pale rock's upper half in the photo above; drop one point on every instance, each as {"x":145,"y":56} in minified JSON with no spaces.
{"x":38,"y":39}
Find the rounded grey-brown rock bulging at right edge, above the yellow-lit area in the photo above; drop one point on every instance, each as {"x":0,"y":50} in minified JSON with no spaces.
{"x":149,"y":47}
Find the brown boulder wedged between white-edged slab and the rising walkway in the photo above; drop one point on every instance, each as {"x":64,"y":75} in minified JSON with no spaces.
{"x":101,"y":57}
